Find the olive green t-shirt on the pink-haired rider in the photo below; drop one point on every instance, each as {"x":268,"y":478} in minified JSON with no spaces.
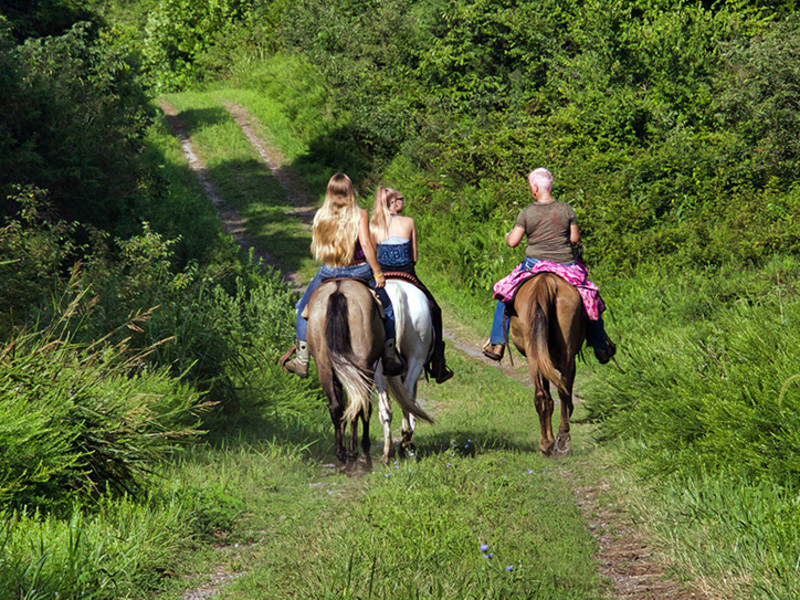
{"x":547,"y":228}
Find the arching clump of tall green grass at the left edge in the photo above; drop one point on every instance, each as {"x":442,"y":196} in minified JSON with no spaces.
{"x":80,"y":419}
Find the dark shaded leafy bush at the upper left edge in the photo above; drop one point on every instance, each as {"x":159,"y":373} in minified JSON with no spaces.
{"x":73,"y":114}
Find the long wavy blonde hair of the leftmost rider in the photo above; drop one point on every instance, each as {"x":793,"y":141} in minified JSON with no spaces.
{"x":335,"y":229}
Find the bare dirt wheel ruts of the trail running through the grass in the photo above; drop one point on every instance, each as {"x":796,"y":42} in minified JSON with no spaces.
{"x":623,"y":555}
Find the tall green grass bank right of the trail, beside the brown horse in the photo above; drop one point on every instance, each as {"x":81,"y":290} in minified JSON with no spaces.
{"x":708,"y":406}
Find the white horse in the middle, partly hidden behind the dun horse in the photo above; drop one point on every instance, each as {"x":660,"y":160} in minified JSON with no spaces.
{"x":414,"y":327}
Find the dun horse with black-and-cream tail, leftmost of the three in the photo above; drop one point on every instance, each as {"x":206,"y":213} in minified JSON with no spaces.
{"x":346,"y":337}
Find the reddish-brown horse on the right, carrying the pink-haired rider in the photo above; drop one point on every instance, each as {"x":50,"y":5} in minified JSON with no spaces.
{"x":546,"y":326}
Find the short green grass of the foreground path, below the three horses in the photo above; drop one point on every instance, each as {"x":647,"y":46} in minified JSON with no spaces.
{"x":414,"y":528}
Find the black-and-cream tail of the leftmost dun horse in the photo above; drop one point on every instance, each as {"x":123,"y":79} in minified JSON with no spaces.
{"x":356,"y":380}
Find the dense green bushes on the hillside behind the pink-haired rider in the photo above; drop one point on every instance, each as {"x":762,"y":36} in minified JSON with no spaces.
{"x":647,"y":112}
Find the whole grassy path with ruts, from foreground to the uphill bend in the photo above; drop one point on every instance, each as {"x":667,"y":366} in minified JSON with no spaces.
{"x":476,"y":514}
